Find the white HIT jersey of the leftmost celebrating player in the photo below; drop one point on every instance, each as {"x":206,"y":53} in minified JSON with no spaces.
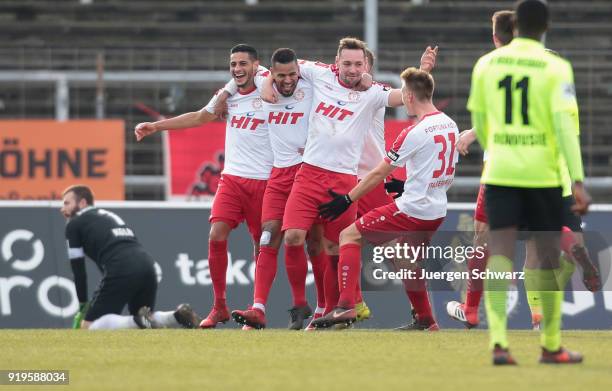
{"x":247,"y":144}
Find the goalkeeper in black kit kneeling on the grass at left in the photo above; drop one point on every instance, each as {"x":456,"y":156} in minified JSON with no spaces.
{"x":129,"y":272}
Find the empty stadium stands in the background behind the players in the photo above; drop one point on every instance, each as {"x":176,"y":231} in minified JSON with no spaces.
{"x":195,"y":35}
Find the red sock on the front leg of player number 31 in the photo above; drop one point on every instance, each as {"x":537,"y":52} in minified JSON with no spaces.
{"x":349,"y":269}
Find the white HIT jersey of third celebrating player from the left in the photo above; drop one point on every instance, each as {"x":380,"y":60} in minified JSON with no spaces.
{"x":340,"y":118}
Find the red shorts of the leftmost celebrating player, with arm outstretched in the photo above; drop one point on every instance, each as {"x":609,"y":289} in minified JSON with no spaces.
{"x":239,"y":199}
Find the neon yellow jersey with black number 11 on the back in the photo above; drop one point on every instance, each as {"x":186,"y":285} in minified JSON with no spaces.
{"x":524,"y":110}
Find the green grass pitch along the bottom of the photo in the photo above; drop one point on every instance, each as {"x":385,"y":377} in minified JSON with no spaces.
{"x":282,"y":360}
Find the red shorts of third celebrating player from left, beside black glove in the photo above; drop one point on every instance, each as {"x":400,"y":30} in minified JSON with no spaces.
{"x":310,"y":190}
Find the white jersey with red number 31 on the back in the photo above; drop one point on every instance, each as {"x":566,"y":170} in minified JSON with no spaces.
{"x":427,"y":149}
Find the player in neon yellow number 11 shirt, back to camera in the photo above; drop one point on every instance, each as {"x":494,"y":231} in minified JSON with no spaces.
{"x":522,"y":101}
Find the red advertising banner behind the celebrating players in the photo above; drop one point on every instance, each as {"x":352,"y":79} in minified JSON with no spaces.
{"x":196,"y":158}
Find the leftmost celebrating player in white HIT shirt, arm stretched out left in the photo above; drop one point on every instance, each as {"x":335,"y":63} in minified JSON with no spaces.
{"x":247,"y":166}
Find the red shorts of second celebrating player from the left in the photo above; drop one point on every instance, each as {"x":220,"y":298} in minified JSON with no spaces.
{"x":277,"y":192}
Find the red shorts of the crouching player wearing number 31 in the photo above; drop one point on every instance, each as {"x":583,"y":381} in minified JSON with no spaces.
{"x":387,"y":223}
